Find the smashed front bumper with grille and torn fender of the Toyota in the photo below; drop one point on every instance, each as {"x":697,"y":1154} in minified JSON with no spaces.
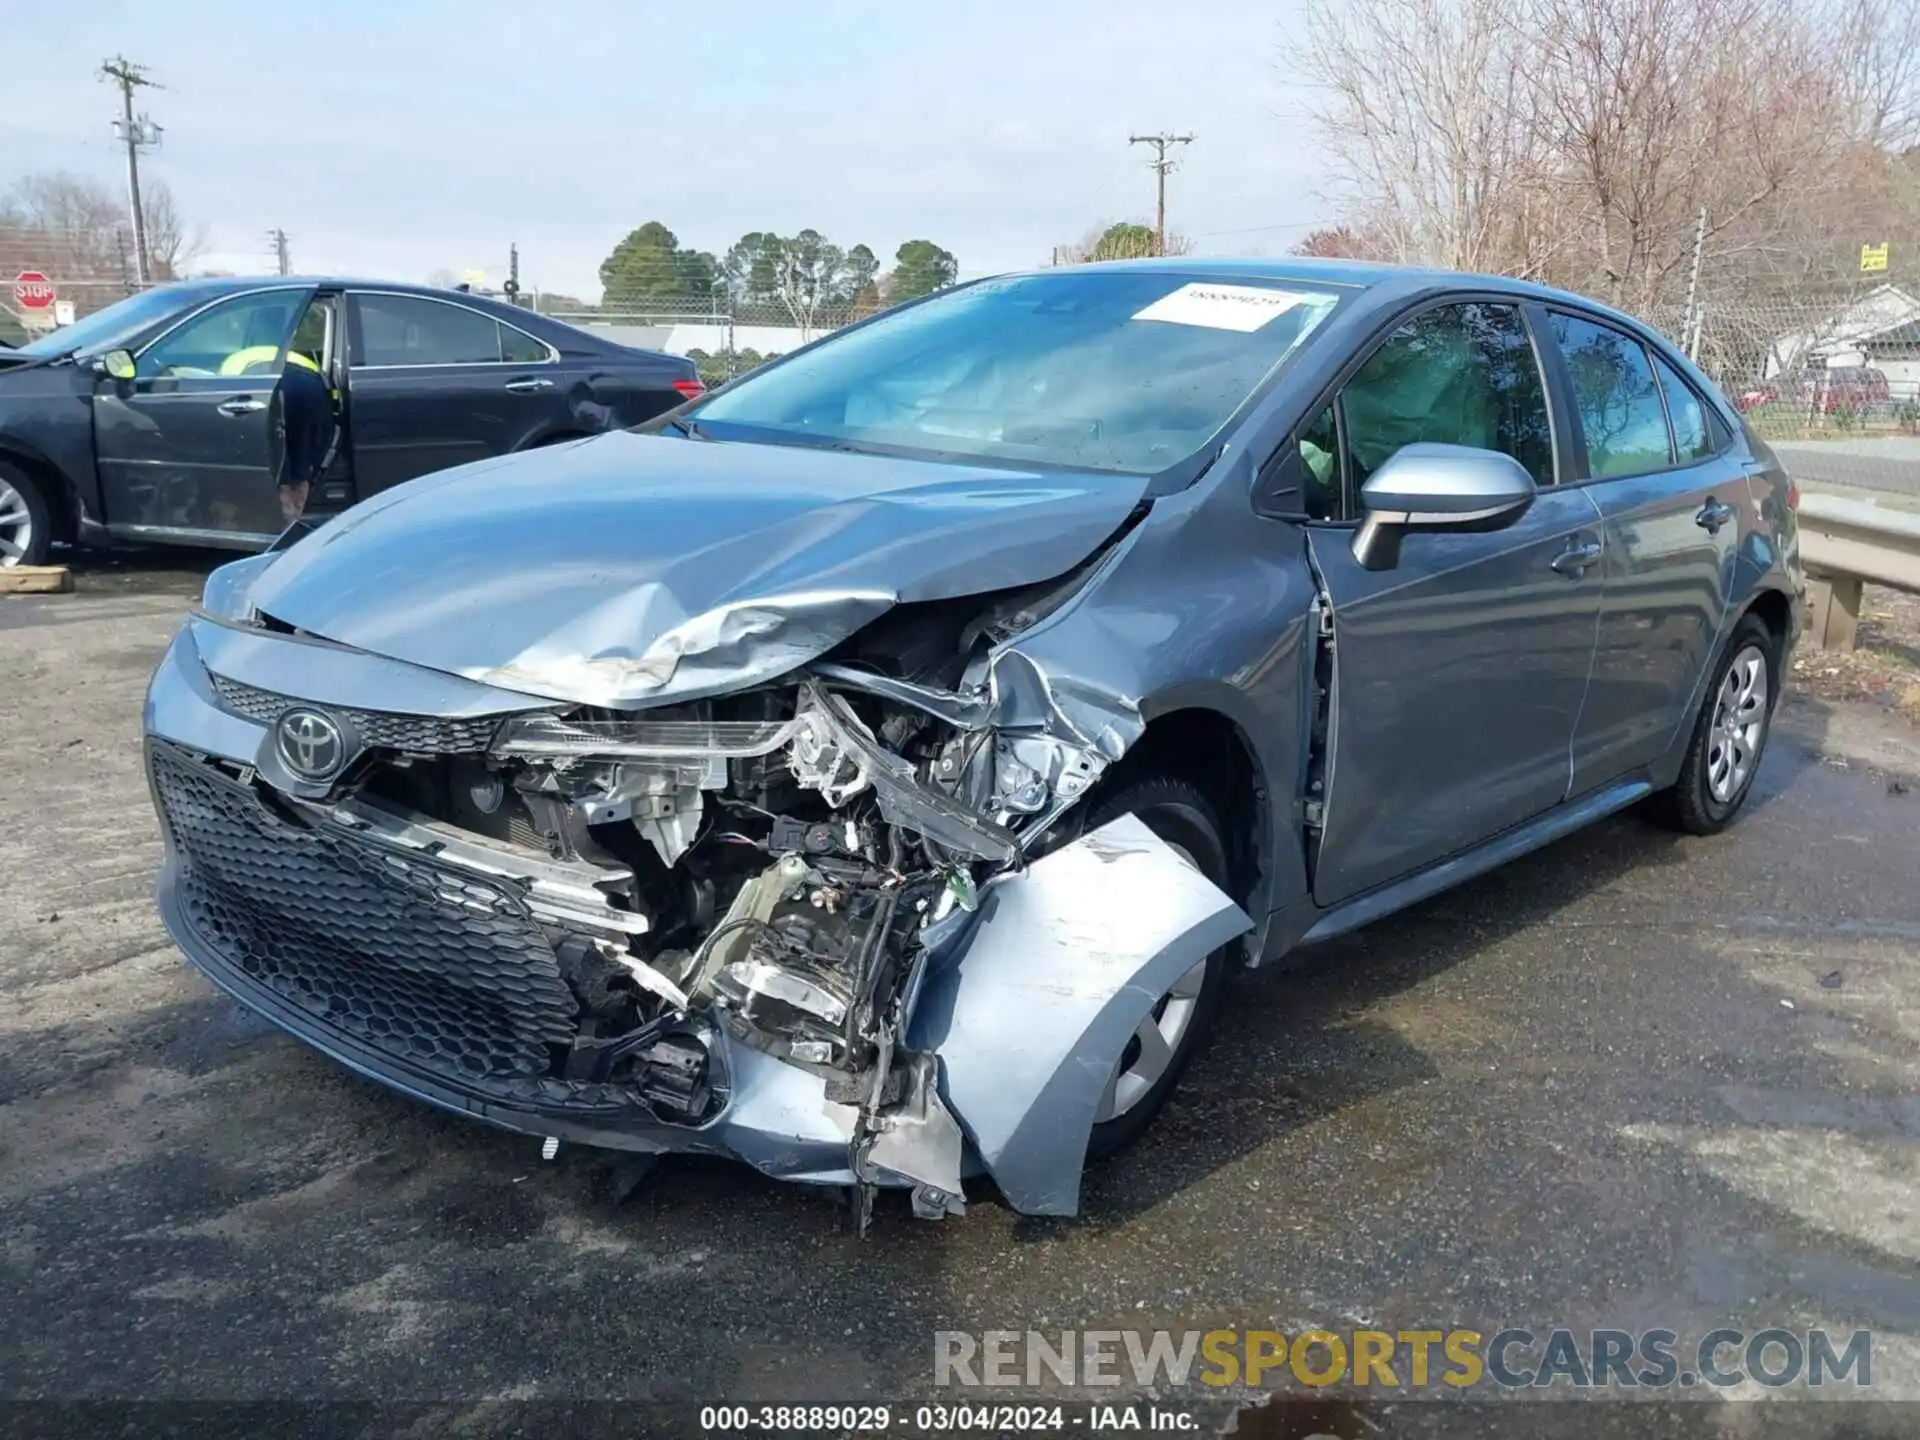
{"x":444,"y":965}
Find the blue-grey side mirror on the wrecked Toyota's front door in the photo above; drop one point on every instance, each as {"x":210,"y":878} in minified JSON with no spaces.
{"x":1435,"y":487}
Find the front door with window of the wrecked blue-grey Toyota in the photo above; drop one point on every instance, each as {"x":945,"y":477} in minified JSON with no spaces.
{"x":1460,"y":671}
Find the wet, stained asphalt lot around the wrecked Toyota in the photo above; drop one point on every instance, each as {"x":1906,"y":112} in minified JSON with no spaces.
{"x":1635,"y":1080}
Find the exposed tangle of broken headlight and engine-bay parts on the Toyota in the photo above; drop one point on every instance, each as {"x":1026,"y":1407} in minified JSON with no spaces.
{"x":780,"y":863}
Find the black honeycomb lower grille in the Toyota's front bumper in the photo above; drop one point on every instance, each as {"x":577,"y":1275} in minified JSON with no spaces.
{"x":398,"y":951}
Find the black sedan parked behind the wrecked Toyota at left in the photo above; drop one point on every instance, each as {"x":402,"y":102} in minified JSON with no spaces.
{"x":218,"y":412}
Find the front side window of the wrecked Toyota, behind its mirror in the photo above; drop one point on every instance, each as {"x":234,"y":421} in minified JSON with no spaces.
{"x":1460,"y":375}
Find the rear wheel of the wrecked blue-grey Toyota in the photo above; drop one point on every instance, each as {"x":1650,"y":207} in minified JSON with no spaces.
{"x":1729,"y":736}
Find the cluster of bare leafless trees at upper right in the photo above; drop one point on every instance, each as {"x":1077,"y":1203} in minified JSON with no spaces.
{"x":1585,"y":141}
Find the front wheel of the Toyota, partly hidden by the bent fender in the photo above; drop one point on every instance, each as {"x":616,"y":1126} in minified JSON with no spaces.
{"x":1180,"y":815}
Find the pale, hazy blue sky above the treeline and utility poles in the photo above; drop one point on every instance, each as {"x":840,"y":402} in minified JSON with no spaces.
{"x":408,"y":137}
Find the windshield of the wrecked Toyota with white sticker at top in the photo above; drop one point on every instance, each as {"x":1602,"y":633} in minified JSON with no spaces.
{"x":1128,"y":372}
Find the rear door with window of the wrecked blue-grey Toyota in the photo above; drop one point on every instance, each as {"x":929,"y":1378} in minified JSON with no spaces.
{"x":1673,"y":504}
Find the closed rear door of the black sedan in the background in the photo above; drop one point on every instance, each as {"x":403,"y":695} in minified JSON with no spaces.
{"x":435,"y":383}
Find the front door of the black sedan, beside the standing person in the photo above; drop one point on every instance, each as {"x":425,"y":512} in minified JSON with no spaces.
{"x":189,"y":446}
